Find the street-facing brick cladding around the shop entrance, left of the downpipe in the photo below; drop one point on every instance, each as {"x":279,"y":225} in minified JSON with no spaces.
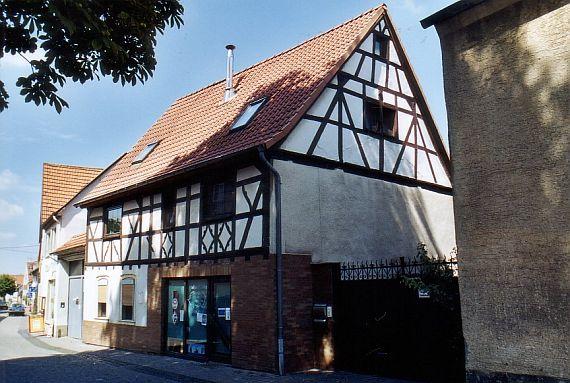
{"x":253,"y":312}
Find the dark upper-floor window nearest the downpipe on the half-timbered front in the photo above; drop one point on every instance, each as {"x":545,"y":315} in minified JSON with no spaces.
{"x":219,"y":199}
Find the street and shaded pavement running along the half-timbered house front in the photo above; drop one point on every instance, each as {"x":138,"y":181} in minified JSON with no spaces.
{"x":26,"y":358}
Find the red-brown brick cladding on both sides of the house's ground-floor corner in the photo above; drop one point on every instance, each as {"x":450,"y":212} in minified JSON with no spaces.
{"x":253,"y":312}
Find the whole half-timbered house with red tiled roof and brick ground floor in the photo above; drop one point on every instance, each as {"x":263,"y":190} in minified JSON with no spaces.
{"x":215,"y":236}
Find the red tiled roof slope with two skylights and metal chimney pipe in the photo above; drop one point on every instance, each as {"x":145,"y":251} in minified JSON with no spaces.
{"x":195,"y":130}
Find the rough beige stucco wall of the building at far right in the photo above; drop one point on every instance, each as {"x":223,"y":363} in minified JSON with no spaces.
{"x":508,"y":97}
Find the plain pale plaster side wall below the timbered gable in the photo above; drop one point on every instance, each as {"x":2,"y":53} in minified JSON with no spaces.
{"x":338,"y":216}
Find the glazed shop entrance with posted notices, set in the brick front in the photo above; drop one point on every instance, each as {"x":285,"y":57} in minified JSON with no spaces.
{"x":198,"y":318}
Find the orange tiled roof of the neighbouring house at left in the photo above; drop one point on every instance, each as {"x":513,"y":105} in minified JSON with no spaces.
{"x":60,"y":183}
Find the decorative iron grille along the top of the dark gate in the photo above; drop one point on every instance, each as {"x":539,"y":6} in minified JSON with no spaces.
{"x":393,"y":268}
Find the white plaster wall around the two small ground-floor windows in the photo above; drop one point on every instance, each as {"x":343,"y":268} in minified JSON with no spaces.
{"x":114,"y":276}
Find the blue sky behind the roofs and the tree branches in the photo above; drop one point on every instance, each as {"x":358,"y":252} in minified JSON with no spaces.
{"x":104,"y":119}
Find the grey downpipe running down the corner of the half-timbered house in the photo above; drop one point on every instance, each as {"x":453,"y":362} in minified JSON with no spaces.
{"x":279,"y":260}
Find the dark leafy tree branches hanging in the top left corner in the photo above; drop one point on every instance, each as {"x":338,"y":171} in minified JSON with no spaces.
{"x":82,"y":40}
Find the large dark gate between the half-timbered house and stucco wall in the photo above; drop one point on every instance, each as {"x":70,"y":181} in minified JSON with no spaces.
{"x":383,"y":327}
